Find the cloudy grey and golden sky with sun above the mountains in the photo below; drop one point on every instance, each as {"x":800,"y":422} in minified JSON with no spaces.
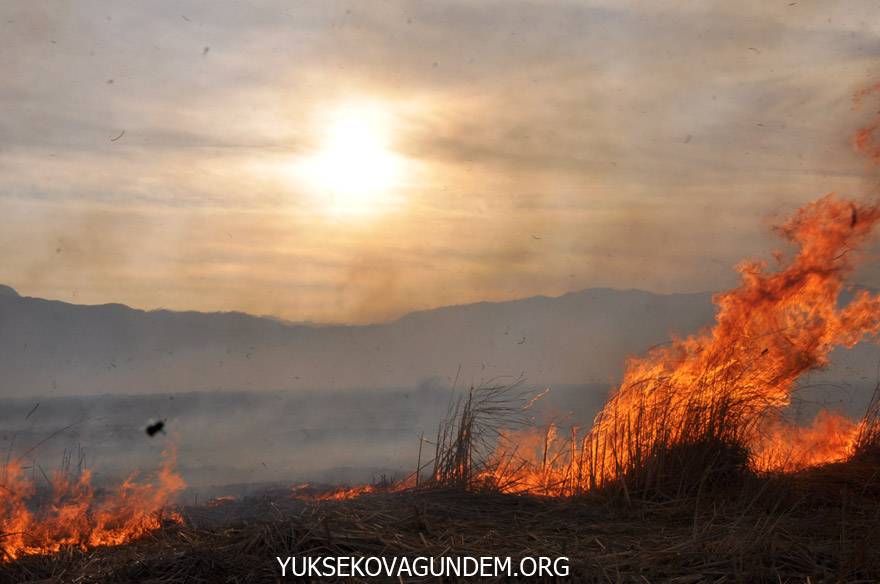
{"x":352,"y":161}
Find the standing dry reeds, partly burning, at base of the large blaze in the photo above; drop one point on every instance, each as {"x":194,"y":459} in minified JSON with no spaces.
{"x":654,"y":458}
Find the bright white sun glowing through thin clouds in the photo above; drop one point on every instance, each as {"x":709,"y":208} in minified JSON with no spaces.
{"x":355,"y":170}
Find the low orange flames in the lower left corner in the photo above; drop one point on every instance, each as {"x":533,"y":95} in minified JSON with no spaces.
{"x":75,"y":516}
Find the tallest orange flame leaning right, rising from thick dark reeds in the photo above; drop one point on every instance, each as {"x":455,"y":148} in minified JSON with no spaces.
{"x":729,"y":382}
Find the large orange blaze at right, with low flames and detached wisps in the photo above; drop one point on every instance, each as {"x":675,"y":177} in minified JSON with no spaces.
{"x":725,"y":388}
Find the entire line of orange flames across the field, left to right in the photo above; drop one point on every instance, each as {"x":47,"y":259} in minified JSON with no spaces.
{"x":719,"y":392}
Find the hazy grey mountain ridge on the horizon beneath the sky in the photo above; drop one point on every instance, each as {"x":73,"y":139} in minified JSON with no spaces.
{"x":57,"y":348}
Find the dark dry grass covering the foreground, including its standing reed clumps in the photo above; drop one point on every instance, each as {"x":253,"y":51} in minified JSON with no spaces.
{"x":691,"y":513}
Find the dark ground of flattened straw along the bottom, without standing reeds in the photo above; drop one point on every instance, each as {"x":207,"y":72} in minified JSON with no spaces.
{"x":816,"y":528}
